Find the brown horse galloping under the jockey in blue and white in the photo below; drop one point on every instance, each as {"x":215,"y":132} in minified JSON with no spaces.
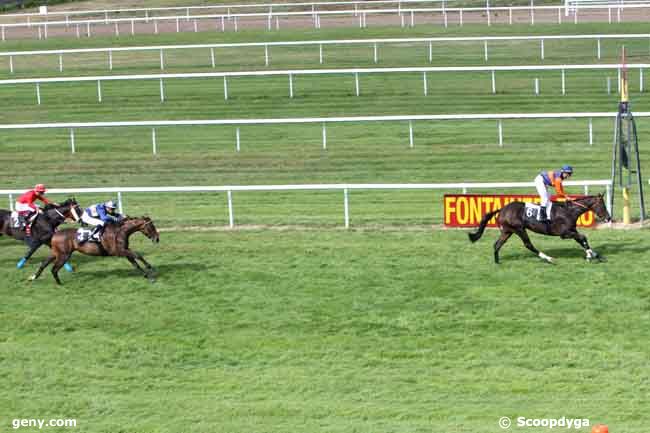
{"x":115,"y":242}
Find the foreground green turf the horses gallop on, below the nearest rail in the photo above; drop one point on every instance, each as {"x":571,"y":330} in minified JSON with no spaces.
{"x":330,"y":331}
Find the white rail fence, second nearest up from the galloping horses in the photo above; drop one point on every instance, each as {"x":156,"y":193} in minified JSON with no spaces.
{"x":323,"y":121}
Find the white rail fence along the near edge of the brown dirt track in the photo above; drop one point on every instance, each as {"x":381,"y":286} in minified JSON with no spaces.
{"x":407,"y":17}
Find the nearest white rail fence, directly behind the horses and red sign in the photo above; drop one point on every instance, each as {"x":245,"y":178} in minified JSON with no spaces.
{"x":344,"y":188}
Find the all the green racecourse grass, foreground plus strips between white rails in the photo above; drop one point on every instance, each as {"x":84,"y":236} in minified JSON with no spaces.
{"x":303,"y":326}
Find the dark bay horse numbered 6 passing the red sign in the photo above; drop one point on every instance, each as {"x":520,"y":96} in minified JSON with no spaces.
{"x":564,"y":215}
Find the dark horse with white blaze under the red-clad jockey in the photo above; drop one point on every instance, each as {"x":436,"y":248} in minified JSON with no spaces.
{"x":43,"y":227}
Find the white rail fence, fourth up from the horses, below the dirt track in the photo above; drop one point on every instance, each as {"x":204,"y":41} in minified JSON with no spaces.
{"x":266,"y":54}
